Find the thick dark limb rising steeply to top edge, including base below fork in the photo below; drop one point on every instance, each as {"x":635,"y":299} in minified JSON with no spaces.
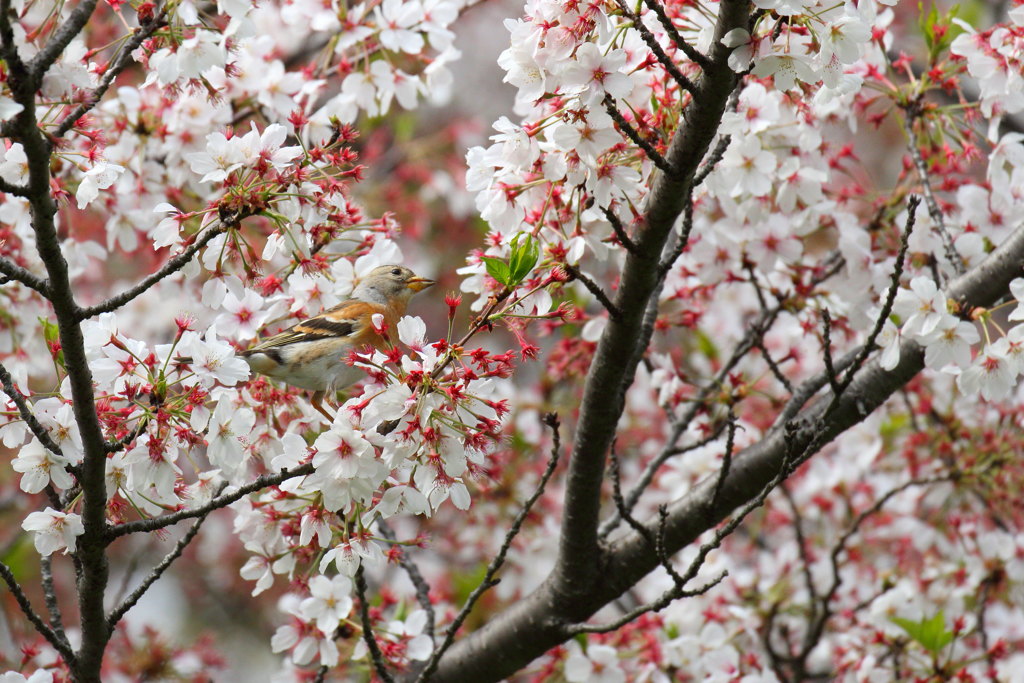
{"x":502,"y":647}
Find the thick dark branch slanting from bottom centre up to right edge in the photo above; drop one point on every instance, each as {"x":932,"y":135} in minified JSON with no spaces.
{"x":538,"y":622}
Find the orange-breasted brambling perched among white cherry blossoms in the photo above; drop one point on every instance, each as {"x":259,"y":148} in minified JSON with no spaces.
{"x":312,"y":355}
